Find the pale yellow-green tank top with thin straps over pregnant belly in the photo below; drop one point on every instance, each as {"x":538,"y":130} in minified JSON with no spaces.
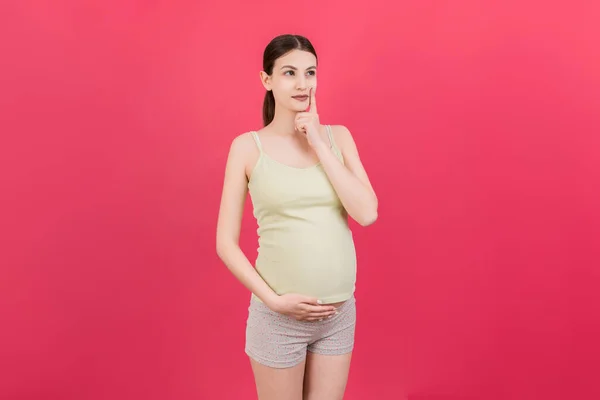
{"x":305,"y":244}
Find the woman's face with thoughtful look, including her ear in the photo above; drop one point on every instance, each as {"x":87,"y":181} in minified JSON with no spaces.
{"x":294,"y":74}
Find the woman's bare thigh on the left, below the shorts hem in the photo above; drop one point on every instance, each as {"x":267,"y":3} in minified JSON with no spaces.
{"x":278,"y":383}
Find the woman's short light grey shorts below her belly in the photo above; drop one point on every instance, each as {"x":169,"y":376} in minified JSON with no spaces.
{"x":279,"y":341}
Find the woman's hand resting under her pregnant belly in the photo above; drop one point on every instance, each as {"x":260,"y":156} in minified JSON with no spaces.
{"x":302,"y":308}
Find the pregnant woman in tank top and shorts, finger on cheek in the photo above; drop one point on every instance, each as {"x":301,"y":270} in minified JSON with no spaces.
{"x":304,"y":179}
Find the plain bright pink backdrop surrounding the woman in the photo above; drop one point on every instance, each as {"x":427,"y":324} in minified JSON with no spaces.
{"x":477,"y":121}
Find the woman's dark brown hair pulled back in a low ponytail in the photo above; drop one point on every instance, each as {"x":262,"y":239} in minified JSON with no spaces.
{"x":280,"y":46}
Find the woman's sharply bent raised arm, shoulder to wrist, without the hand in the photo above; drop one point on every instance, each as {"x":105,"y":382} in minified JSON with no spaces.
{"x":349,"y":179}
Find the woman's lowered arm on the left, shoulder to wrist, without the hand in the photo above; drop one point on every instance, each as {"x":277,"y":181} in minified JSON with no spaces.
{"x":235,"y":189}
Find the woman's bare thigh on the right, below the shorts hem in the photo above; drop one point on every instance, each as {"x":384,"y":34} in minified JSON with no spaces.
{"x":326,"y":376}
